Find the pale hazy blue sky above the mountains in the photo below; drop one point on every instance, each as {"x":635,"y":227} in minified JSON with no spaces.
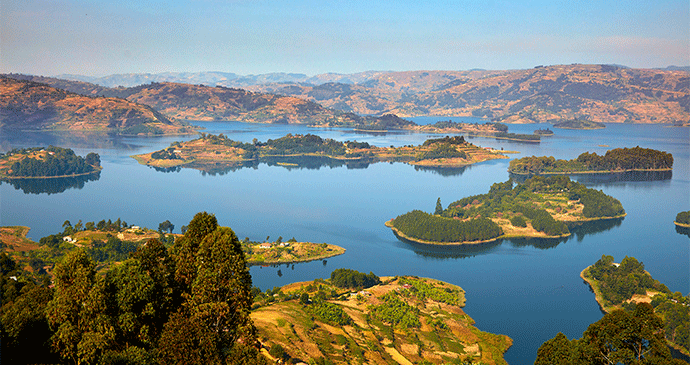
{"x":98,"y":37}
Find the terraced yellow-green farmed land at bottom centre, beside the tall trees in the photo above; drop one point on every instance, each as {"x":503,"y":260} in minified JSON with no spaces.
{"x":361,"y":318}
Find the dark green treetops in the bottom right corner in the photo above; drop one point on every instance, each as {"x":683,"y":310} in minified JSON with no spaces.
{"x":620,"y":337}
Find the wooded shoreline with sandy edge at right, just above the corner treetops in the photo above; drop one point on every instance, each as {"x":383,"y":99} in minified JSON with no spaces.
{"x":622,"y":285}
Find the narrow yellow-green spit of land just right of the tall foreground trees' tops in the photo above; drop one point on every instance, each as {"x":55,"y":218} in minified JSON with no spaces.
{"x":291,"y":251}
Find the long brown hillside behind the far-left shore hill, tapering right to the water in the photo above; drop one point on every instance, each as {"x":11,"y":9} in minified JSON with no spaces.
{"x":206,"y":103}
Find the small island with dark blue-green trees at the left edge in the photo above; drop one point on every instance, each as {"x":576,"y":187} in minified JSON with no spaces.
{"x":57,"y":162}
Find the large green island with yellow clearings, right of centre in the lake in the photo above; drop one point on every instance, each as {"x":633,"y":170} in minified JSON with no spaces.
{"x":539,"y":207}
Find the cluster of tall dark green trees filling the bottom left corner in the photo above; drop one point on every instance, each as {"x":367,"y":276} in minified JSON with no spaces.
{"x":189,"y":304}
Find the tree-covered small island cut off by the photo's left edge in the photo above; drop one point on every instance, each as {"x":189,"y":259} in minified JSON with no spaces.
{"x":49,"y":162}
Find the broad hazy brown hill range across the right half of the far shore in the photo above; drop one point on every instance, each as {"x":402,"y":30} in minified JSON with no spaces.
{"x":601,"y":93}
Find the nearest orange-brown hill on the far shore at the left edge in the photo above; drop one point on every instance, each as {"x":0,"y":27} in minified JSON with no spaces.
{"x":36,"y":106}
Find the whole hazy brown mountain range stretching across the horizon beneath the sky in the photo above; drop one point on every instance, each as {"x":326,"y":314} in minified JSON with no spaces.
{"x":598,"y":93}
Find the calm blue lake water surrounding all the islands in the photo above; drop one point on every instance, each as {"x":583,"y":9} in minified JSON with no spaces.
{"x":527,"y":289}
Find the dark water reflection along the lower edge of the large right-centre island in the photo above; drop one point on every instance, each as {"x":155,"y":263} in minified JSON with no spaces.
{"x":578,"y":231}
